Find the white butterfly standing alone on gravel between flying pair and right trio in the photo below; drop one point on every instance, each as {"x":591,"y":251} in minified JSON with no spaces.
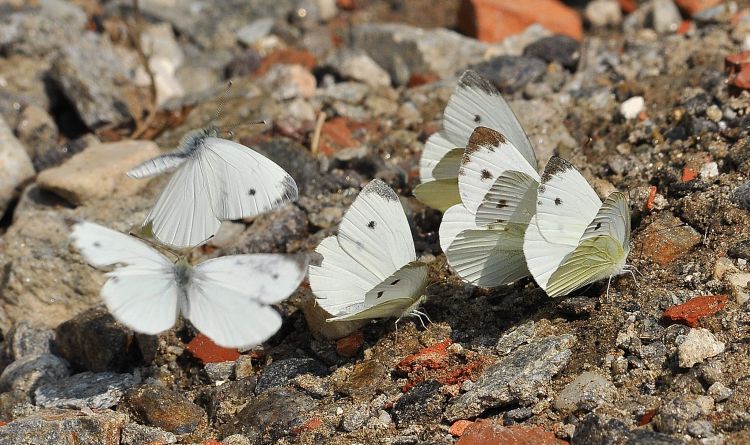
{"x":370,"y":270}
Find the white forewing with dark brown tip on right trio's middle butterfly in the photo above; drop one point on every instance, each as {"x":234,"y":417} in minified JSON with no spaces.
{"x":488,"y":155}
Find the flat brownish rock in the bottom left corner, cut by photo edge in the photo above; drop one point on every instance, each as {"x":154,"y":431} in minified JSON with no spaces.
{"x":65,"y":427}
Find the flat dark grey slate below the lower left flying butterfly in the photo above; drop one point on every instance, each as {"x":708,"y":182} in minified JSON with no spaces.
{"x":87,"y":389}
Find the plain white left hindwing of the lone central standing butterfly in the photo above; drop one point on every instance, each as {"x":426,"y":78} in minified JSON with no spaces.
{"x":339,"y":281}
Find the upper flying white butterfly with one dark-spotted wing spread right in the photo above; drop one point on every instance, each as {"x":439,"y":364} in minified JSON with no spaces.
{"x":216,"y":180}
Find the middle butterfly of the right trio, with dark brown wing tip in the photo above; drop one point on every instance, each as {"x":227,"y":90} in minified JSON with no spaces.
{"x":482,"y":237}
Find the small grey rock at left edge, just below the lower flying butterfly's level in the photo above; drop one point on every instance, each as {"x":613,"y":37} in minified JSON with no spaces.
{"x":31,"y":371}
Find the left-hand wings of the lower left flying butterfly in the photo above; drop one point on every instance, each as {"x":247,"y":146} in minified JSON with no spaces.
{"x":142,"y":294}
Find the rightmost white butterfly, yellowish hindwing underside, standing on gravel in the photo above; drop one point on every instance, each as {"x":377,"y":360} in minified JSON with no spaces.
{"x":574,"y":239}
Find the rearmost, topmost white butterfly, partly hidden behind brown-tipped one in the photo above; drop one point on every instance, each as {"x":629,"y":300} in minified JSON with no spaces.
{"x":475,"y":102}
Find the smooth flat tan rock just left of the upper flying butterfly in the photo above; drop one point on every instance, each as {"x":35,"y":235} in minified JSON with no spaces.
{"x":99,"y":172}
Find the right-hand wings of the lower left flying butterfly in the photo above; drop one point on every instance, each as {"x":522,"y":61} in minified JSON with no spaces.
{"x":228,"y":298}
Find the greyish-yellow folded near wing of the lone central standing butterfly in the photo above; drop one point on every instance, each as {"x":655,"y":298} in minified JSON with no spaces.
{"x":391,"y":297}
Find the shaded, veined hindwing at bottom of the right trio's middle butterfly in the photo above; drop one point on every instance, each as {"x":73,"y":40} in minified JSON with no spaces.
{"x":489,"y":256}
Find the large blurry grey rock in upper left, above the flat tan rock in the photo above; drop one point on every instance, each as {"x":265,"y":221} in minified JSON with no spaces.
{"x":91,"y":76}
